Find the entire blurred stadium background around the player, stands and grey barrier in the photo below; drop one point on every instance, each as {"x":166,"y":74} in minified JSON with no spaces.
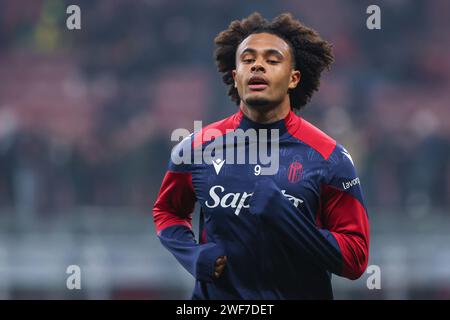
{"x":86,"y":117}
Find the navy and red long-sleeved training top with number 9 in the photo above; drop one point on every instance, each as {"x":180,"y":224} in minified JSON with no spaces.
{"x":283,"y":234}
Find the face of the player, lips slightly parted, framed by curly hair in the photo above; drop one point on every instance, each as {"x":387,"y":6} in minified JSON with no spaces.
{"x":264,"y":72}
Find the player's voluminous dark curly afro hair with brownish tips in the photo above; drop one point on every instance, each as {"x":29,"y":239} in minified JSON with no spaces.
{"x":311,"y":53}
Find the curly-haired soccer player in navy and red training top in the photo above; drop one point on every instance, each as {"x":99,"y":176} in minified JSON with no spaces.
{"x":277,"y":236}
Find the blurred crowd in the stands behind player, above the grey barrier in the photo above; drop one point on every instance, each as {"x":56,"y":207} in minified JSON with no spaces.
{"x":86,"y":115}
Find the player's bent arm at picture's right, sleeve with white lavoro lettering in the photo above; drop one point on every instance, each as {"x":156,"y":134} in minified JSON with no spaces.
{"x":341,"y":246}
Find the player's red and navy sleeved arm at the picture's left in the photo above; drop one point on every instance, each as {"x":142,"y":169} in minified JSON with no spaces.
{"x":172,"y":214}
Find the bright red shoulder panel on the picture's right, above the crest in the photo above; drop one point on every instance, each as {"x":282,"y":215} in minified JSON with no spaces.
{"x":311,"y":135}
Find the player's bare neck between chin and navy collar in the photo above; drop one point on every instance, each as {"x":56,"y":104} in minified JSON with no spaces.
{"x":266,"y":115}
